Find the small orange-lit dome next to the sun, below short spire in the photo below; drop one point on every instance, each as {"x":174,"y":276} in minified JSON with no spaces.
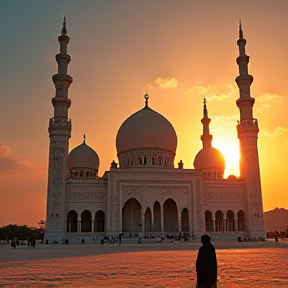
{"x":209,"y":158}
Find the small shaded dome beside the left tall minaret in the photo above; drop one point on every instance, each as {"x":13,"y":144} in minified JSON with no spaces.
{"x":83,"y":156}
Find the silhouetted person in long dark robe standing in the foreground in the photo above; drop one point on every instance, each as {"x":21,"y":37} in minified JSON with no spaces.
{"x":206,"y":264}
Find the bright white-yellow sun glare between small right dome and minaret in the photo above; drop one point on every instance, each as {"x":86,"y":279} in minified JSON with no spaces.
{"x":230,"y":150}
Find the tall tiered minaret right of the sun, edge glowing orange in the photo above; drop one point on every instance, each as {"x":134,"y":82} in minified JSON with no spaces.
{"x":247,"y":129}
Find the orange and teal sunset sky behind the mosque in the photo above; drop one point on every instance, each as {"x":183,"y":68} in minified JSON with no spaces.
{"x":176,"y":51}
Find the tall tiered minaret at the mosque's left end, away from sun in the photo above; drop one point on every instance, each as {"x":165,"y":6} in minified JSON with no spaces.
{"x":59,"y":133}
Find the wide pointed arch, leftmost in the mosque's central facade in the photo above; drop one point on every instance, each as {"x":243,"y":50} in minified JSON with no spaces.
{"x":131,"y":216}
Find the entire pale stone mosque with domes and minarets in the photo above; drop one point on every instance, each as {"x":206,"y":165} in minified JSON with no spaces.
{"x":144,"y":195}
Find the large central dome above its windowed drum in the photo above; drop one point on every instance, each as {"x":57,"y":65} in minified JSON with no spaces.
{"x":146,"y":129}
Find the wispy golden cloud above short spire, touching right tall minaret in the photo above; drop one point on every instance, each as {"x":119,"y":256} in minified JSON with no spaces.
{"x":218,"y":92}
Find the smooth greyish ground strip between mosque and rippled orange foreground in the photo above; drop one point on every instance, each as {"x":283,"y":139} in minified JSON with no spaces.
{"x":56,"y":251}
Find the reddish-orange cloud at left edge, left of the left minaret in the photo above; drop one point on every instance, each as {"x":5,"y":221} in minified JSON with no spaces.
{"x":10,"y":162}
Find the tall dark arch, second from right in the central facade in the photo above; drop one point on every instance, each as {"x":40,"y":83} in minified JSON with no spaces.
{"x":170,"y":216}
